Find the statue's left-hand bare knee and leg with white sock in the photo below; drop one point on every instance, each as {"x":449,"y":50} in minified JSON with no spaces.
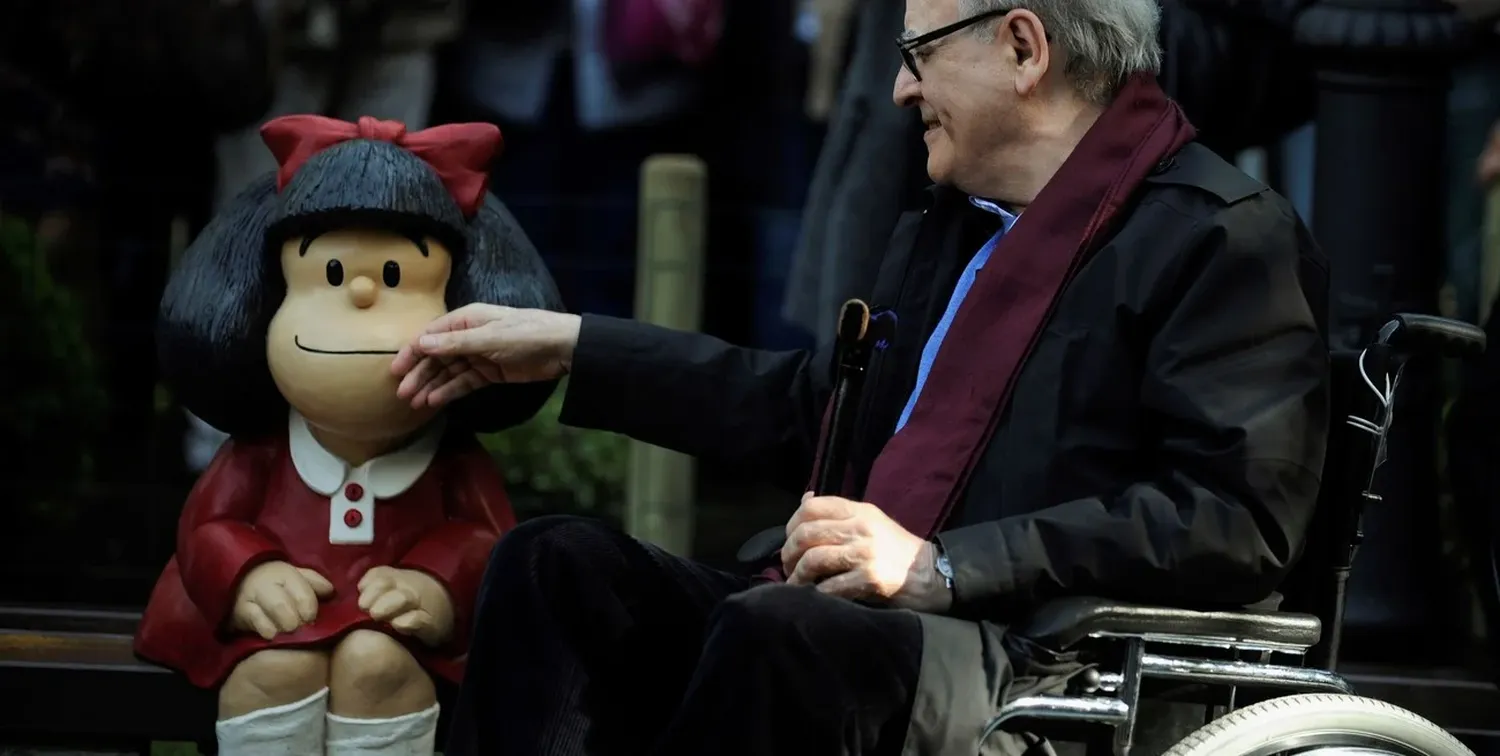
{"x":275,"y":701}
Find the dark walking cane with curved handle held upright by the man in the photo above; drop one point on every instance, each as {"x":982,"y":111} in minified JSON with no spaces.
{"x":851,"y":364}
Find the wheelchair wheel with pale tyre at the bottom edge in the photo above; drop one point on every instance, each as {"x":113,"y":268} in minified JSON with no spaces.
{"x":1321,"y":724}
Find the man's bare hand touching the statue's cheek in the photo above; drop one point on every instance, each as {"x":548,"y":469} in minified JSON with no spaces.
{"x":478,"y":346}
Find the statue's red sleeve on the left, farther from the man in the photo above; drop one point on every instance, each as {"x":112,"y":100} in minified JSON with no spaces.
{"x":217,"y":542}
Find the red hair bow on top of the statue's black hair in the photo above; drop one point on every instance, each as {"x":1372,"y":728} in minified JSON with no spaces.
{"x":458,"y":152}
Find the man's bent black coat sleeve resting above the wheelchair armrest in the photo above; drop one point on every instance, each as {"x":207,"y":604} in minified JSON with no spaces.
{"x":1235,"y":397}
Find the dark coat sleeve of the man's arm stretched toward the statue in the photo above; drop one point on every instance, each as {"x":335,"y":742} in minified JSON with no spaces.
{"x":752,"y":410}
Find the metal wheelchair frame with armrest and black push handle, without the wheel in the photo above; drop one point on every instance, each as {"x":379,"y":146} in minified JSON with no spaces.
{"x":1139,"y":635}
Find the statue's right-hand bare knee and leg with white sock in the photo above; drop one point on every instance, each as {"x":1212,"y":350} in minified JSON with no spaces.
{"x":382,"y":703}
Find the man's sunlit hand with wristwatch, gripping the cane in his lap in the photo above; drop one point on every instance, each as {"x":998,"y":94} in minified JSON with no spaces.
{"x":856,"y":551}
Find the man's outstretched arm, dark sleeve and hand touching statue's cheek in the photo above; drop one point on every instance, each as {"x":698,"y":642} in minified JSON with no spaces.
{"x":689,"y":392}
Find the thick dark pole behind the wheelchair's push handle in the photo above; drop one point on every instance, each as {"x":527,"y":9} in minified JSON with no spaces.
{"x":1379,"y":212}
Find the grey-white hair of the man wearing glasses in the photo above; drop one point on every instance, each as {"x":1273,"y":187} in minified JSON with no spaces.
{"x":1105,"y":41}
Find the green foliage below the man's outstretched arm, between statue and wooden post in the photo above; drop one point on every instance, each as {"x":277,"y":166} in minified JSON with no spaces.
{"x":562,"y":469}
